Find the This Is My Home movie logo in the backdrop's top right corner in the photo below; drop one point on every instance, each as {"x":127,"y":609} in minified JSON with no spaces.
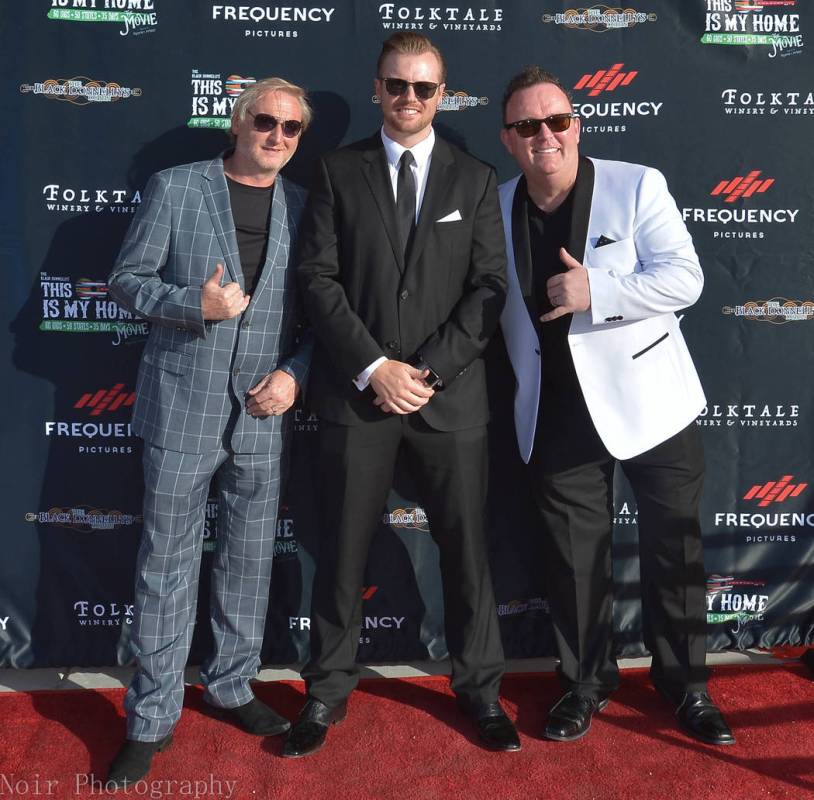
{"x":753,"y":22}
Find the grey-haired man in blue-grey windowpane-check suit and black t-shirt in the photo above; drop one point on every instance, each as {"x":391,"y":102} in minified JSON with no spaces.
{"x":208,"y":261}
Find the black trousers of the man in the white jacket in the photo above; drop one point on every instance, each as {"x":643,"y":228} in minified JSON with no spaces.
{"x":572,"y":475}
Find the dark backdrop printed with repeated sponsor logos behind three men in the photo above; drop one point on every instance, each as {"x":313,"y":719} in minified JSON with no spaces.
{"x":99,"y":94}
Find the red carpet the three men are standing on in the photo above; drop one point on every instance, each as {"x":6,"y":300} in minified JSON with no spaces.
{"x":405,"y":739}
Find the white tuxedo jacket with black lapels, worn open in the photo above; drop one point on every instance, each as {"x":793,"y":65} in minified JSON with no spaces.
{"x":633,"y":366}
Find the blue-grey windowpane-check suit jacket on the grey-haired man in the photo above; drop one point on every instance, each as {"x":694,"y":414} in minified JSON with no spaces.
{"x":194,"y":375}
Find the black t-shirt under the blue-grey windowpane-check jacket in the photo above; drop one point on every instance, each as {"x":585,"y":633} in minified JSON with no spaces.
{"x":251,"y":209}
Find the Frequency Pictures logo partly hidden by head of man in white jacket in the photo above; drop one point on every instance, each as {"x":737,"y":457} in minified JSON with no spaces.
{"x":606,"y":82}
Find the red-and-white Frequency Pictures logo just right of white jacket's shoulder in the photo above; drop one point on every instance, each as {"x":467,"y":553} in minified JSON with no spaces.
{"x":744,"y":188}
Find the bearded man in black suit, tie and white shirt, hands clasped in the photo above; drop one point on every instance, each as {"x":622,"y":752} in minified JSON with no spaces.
{"x":403,"y":275}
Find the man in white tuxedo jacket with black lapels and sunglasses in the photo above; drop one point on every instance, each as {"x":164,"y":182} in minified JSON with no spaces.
{"x":599,"y":262}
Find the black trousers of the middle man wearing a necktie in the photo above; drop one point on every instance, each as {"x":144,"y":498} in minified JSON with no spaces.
{"x":356,"y":472}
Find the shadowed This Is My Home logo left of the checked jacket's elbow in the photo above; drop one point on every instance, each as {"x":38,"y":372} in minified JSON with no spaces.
{"x":85,"y":307}
